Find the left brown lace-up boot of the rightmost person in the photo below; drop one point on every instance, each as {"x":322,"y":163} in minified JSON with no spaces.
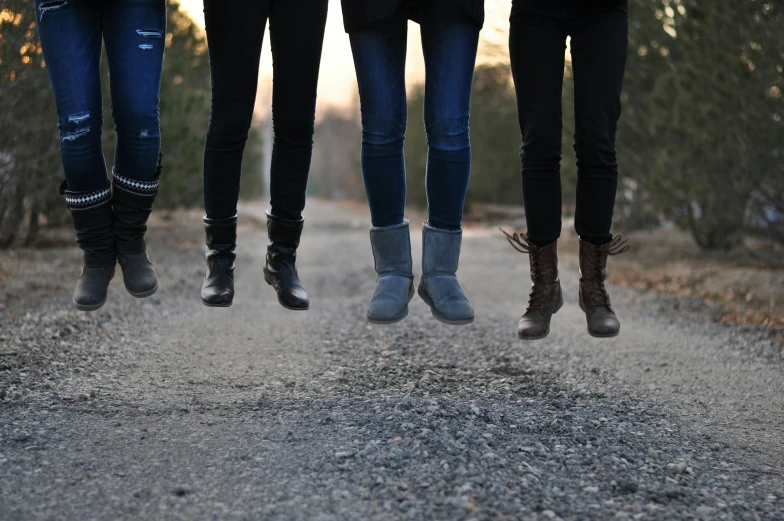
{"x":545,"y":298}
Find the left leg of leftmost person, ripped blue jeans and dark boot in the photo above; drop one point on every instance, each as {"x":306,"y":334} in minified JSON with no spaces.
{"x":70,"y":35}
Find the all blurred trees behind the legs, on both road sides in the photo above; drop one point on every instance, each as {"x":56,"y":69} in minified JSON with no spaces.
{"x":700,"y":141}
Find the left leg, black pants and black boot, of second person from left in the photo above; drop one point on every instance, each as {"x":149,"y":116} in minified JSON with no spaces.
{"x":235,"y":30}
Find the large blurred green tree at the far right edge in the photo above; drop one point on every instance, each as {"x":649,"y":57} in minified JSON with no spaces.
{"x":701,"y":135}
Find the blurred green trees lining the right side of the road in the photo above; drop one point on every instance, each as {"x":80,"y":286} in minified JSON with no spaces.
{"x":701,"y":138}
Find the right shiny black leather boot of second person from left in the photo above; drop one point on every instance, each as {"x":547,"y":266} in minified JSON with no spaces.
{"x":281,"y":271}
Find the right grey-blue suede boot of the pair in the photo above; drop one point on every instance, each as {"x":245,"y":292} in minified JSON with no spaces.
{"x":439,"y":287}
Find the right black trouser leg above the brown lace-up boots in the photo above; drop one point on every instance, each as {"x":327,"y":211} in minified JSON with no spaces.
{"x":598,"y":59}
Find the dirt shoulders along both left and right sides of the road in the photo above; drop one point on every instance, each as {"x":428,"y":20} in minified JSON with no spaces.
{"x":743,"y":287}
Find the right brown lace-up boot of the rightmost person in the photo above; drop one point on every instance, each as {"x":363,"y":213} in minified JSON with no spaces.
{"x":594,"y":300}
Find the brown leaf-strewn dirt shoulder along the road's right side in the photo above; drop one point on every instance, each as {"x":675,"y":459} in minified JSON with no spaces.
{"x":744,"y":286}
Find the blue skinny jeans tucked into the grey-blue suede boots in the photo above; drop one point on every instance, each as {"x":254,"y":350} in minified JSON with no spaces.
{"x":449,"y":44}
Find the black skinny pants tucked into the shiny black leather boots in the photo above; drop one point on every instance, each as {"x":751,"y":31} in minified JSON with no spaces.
{"x":235,"y":30}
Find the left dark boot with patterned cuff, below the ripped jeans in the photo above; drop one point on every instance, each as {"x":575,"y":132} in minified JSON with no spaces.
{"x":92,"y":217}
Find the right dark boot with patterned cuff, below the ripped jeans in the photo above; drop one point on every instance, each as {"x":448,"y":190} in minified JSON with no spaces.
{"x":132,"y":201}
